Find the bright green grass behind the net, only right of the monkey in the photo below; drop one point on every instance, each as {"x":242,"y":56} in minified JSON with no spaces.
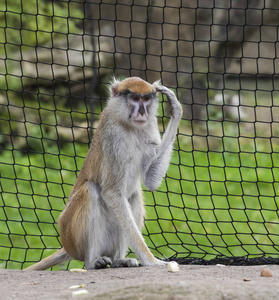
{"x":217,"y":207}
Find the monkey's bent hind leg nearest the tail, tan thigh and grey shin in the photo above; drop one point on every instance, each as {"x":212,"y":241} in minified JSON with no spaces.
{"x":83,"y":226}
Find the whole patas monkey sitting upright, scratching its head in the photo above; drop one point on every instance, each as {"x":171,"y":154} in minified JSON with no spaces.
{"x":105,"y":211}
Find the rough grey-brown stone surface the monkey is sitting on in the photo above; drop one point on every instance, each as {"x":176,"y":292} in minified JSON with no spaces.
{"x":191,"y":282}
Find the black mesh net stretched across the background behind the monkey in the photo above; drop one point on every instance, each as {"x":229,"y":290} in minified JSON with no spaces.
{"x":219,"y":200}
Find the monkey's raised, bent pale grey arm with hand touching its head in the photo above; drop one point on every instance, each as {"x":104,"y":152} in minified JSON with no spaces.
{"x":158,"y":164}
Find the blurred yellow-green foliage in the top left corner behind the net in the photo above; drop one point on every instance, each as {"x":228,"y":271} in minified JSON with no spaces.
{"x":36,"y":22}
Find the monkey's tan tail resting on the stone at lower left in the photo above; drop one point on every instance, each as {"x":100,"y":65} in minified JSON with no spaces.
{"x":56,"y":258}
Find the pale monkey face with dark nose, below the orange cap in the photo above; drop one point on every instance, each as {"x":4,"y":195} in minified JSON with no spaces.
{"x":139,"y":106}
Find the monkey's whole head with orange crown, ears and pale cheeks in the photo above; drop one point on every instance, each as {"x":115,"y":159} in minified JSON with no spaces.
{"x":136,"y":98}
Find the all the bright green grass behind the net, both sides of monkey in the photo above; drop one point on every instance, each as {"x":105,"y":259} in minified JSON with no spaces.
{"x":210,"y":203}
